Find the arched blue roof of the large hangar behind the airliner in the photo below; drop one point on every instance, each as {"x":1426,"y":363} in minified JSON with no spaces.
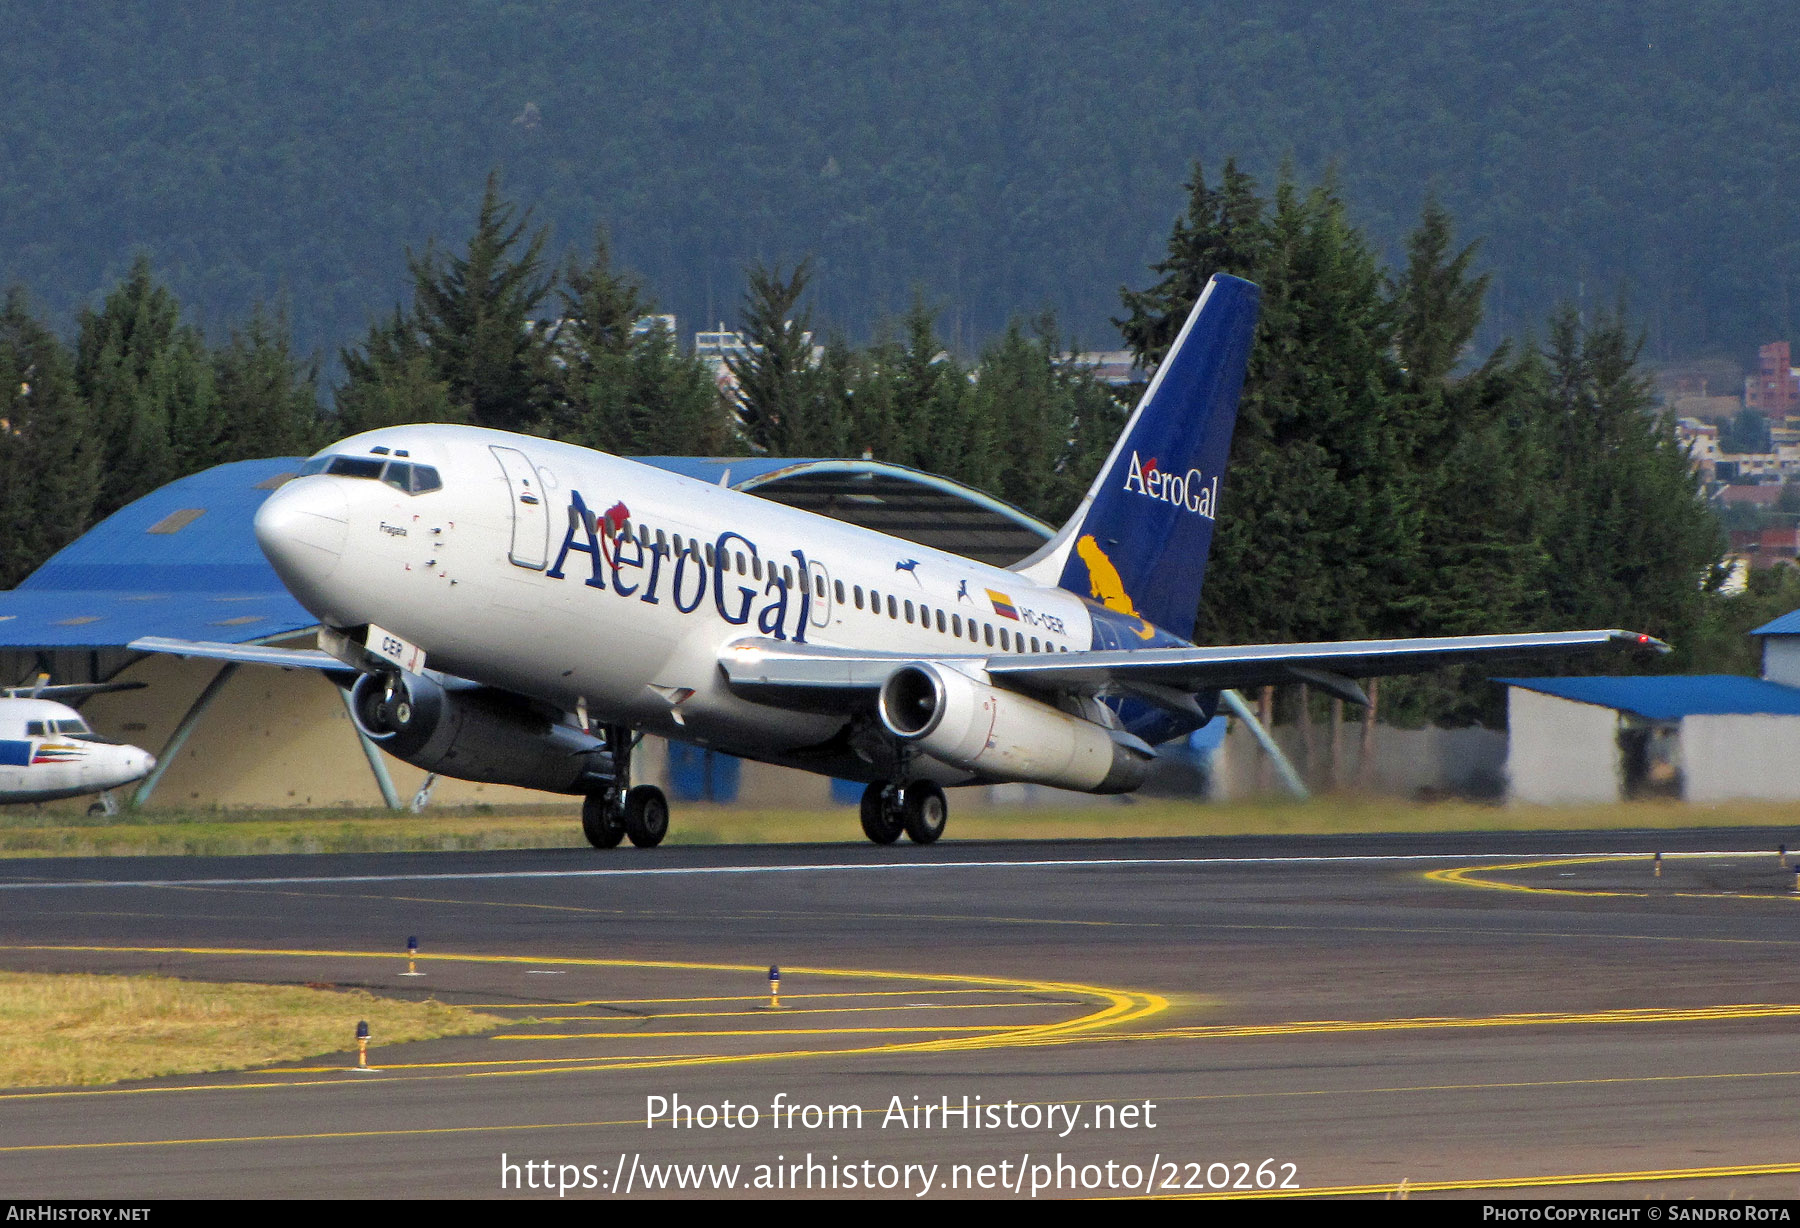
{"x":183,"y":561}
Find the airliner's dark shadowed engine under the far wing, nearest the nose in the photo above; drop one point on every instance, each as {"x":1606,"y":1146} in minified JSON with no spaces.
{"x":478,"y":734}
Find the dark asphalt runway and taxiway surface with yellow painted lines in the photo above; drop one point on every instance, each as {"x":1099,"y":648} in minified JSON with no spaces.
{"x":1461,"y":1015}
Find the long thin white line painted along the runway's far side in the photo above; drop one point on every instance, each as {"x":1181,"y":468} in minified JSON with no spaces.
{"x":649,"y":872}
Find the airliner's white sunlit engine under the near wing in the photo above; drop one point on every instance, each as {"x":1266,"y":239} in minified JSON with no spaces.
{"x":1005,"y":736}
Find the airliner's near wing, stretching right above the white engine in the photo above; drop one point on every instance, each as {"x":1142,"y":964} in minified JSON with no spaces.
{"x":802,"y":676}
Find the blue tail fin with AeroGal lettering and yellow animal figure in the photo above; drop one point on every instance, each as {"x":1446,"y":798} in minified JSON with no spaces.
{"x":1140,"y":539}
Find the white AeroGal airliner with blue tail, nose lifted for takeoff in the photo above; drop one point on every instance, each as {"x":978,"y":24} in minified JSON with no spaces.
{"x":521,"y":611}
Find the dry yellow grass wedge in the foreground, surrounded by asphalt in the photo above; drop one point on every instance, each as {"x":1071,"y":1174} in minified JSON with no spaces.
{"x":85,"y":1029}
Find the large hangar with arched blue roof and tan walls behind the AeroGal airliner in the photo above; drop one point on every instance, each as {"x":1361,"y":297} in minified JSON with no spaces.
{"x":183,"y":563}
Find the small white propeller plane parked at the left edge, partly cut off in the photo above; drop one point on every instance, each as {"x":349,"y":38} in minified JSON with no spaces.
{"x":48,"y":750}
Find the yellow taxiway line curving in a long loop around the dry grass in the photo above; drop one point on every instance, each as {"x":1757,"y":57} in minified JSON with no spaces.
{"x":1108,"y":1009}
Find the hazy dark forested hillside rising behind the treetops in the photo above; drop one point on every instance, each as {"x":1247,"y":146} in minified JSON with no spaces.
{"x":1003,"y":158}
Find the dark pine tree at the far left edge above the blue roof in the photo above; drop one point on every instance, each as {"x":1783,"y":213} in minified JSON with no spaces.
{"x":49,"y":451}
